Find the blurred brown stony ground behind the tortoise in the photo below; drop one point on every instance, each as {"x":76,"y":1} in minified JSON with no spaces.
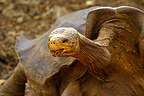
{"x":32,"y":18}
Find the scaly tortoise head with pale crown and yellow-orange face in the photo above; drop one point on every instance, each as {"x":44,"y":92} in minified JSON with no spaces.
{"x":63,"y":42}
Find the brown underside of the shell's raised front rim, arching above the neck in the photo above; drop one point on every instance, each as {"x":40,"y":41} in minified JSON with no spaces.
{"x":103,"y":14}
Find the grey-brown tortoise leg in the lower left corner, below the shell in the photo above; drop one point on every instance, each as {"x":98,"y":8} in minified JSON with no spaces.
{"x":15,"y":85}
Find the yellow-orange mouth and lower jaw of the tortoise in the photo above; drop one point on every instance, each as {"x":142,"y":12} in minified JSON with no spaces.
{"x":61,"y":52}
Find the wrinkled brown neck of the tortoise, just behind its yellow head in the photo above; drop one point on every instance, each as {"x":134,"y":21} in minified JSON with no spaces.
{"x":93,"y":56}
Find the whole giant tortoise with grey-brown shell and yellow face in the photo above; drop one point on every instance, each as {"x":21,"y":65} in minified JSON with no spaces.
{"x":115,"y":32}
